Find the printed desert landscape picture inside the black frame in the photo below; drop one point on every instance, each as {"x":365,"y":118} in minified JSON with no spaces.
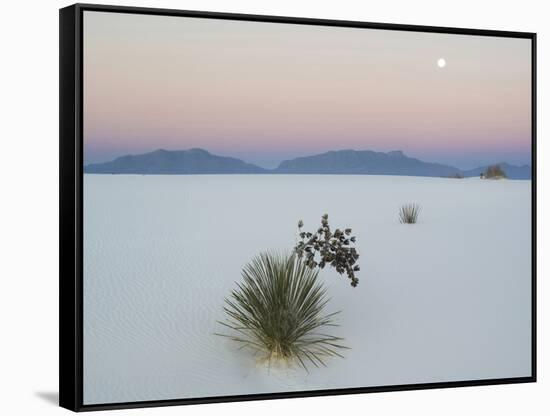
{"x":277,"y":207}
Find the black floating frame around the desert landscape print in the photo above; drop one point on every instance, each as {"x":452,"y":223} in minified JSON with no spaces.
{"x":71,"y":202}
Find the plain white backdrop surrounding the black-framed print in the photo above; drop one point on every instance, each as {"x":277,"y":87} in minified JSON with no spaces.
{"x":29,"y":206}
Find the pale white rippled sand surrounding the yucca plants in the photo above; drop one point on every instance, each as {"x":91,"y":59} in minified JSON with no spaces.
{"x":446,"y":299}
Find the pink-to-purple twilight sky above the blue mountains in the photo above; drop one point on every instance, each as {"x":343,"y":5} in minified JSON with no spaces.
{"x":265,"y":92}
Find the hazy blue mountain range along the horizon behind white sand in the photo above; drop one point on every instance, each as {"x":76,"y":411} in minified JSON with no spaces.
{"x":341,"y":162}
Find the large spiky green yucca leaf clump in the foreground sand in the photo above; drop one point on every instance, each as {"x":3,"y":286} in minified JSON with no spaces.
{"x":278,"y":311}
